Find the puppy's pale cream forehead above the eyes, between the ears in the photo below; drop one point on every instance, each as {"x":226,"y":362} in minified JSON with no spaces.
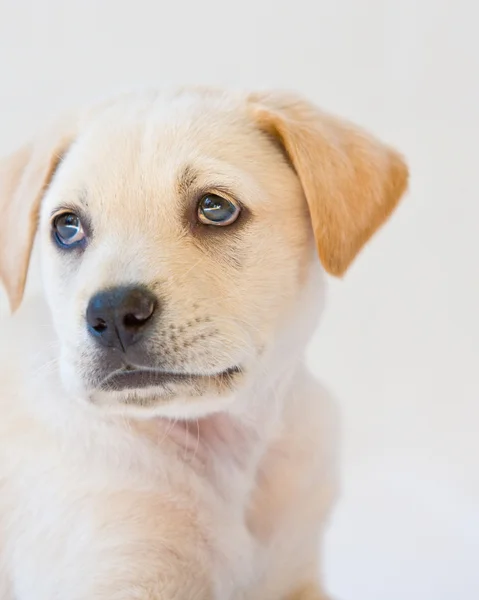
{"x":154,"y":144}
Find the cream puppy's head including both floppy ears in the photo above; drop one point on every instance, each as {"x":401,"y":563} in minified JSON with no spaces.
{"x":178,"y":235}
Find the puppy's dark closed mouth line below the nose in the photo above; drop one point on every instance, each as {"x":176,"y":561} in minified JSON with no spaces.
{"x":134,"y":379}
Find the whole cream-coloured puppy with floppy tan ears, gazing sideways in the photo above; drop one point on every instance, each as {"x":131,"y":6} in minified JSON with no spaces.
{"x":159,"y":435}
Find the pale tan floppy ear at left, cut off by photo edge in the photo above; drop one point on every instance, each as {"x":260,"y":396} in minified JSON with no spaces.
{"x":24,"y":177}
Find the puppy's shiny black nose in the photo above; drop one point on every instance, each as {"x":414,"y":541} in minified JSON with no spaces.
{"x":118,"y":317}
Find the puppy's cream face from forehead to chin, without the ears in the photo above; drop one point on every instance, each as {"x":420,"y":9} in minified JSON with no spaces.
{"x":175,"y":239}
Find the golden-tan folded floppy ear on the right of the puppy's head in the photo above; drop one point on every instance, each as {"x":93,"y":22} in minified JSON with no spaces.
{"x":352,"y":182}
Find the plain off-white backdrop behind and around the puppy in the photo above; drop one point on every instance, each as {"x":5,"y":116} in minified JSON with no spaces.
{"x":399,"y":342}
